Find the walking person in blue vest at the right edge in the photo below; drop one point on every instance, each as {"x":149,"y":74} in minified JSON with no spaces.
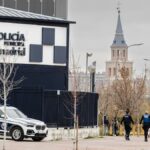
{"x":145,"y":119}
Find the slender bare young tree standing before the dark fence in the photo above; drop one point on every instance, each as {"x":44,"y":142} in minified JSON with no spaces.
{"x":76,"y":96}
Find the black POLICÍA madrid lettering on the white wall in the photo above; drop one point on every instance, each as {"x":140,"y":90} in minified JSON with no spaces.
{"x":14,"y":44}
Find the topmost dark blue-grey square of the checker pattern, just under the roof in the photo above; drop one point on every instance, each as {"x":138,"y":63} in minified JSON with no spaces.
{"x":48,"y":36}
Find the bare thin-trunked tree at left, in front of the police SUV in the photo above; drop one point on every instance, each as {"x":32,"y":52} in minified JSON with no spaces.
{"x":7,"y":84}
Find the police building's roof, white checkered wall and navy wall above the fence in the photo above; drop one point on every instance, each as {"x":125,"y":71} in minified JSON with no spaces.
{"x":41,"y":47}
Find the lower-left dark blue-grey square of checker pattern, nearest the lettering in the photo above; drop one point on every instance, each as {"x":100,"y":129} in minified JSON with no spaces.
{"x":36,"y":53}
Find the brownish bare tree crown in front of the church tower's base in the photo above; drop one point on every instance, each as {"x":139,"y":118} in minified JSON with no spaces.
{"x":128,"y":92}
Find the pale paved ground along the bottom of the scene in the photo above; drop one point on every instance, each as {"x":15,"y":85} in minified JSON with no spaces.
{"x":106,"y":143}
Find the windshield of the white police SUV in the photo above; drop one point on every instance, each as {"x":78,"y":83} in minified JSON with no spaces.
{"x":15,"y":113}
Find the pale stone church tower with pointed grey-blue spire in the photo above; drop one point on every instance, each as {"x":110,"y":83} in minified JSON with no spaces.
{"x":119,"y":54}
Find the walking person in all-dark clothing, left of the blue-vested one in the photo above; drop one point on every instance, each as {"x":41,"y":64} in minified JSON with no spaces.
{"x":127,"y":120}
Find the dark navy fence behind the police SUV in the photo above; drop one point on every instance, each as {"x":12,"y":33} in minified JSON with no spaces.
{"x":56,"y":108}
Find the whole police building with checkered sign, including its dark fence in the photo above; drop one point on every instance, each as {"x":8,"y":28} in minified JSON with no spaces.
{"x":40,"y":46}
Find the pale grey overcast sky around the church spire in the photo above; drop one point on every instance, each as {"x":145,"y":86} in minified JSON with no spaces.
{"x":95,"y":29}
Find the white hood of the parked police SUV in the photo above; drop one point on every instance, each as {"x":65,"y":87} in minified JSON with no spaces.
{"x":27,"y":121}
